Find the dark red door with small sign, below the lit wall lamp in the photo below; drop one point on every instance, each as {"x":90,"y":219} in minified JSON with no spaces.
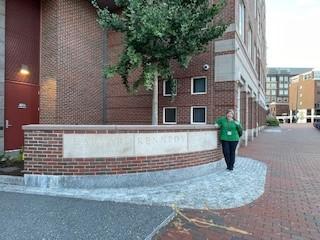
{"x":21,"y":108}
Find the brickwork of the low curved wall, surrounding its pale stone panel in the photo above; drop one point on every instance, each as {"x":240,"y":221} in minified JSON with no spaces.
{"x":44,"y":155}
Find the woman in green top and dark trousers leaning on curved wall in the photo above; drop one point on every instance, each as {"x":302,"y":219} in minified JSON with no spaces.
{"x":230,"y":133}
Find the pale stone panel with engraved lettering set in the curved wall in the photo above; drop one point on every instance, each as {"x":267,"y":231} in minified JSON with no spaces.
{"x":136,"y":144}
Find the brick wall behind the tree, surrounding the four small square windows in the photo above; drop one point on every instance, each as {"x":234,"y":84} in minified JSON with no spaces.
{"x":124,"y":109}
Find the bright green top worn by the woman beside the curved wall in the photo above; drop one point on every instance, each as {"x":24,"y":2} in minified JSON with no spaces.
{"x":229,"y":129}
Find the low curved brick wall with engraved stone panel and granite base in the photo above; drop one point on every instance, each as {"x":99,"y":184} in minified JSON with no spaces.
{"x":71,"y":156}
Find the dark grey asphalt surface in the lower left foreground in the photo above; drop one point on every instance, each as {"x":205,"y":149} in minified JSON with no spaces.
{"x":24,"y":216}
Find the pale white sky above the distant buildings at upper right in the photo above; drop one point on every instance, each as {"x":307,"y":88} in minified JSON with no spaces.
{"x":293,"y":33}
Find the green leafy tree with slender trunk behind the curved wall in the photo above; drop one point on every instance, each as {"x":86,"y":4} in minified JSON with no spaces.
{"x":157,"y":32}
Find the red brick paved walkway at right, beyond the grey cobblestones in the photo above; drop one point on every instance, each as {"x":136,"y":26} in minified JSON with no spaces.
{"x":290,"y":207}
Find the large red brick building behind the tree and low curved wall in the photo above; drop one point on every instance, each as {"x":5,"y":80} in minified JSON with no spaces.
{"x":69,"y":49}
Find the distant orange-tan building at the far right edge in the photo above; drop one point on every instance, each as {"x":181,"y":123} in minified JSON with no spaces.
{"x":304,"y":97}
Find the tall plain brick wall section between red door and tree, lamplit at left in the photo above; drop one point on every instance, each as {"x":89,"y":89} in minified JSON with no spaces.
{"x":71,"y":63}
